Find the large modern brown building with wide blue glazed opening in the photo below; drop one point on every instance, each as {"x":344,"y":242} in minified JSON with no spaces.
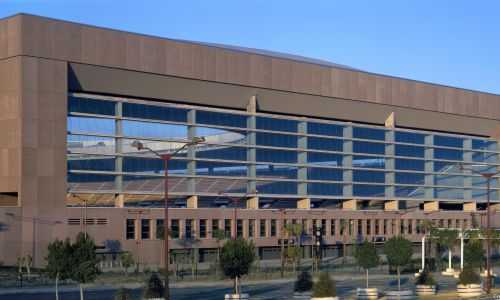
{"x":325,"y":143}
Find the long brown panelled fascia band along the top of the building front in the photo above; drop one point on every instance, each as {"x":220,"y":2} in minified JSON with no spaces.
{"x":53,"y":39}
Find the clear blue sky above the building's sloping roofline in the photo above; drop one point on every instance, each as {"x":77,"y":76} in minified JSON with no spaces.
{"x":450,"y":42}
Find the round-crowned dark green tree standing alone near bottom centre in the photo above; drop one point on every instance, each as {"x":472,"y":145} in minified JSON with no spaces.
{"x":235,"y":259}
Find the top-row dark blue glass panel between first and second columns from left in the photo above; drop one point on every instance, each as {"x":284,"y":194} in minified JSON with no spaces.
{"x":153,"y":112}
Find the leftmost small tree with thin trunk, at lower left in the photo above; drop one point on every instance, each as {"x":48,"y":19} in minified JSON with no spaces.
{"x":58,"y":261}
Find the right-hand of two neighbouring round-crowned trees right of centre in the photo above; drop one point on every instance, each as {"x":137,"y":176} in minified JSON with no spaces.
{"x":398,"y":251}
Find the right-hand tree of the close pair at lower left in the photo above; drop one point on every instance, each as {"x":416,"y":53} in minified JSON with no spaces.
{"x":83,"y":261}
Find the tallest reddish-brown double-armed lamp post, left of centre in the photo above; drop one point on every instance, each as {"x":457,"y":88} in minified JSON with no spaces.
{"x":166,"y":157}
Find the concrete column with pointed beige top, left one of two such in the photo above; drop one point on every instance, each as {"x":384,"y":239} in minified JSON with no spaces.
{"x":251,"y":141}
